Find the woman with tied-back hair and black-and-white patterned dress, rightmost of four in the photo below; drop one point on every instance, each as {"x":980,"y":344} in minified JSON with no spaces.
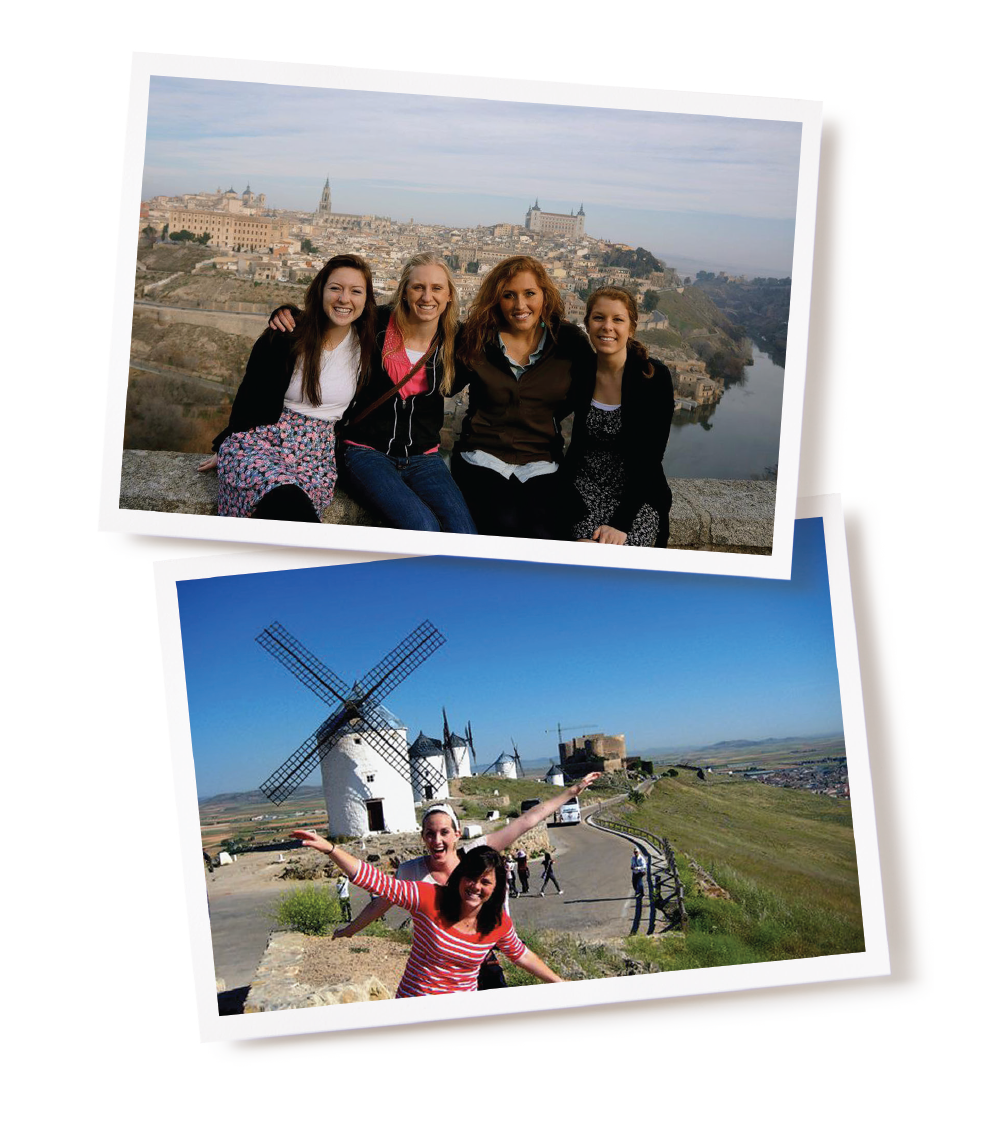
{"x":616,"y":455}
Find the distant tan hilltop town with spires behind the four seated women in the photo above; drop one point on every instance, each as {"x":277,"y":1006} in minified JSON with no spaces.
{"x":255,"y":241}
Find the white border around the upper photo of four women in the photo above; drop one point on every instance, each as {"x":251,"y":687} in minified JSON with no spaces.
{"x":111,"y":517}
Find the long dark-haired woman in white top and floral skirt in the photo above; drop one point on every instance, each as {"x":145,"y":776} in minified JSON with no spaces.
{"x":277,"y":459}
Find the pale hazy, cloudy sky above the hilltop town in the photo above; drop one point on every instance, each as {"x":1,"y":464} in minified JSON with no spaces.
{"x":696,"y":191}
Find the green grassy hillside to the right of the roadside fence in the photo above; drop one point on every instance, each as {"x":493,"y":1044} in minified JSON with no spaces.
{"x":787,"y":858}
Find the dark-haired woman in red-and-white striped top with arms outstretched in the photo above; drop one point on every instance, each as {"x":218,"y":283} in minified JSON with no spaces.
{"x":455,"y":926}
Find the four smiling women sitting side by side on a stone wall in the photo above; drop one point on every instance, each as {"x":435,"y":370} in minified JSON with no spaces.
{"x":387,"y":372}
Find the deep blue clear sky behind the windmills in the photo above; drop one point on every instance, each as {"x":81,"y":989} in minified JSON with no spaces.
{"x":666,"y":659}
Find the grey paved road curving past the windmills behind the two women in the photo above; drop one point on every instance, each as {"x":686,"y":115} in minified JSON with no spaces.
{"x":592,"y":867}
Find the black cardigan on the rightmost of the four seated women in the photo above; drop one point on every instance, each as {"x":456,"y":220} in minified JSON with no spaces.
{"x":648,"y":415}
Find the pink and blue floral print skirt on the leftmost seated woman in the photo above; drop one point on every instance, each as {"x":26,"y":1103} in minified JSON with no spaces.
{"x":298,"y":451}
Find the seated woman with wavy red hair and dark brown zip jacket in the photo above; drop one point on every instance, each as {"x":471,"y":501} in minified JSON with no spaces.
{"x":524,"y":359}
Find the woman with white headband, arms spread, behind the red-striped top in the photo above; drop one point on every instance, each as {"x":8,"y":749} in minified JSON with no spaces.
{"x":441,"y":833}
